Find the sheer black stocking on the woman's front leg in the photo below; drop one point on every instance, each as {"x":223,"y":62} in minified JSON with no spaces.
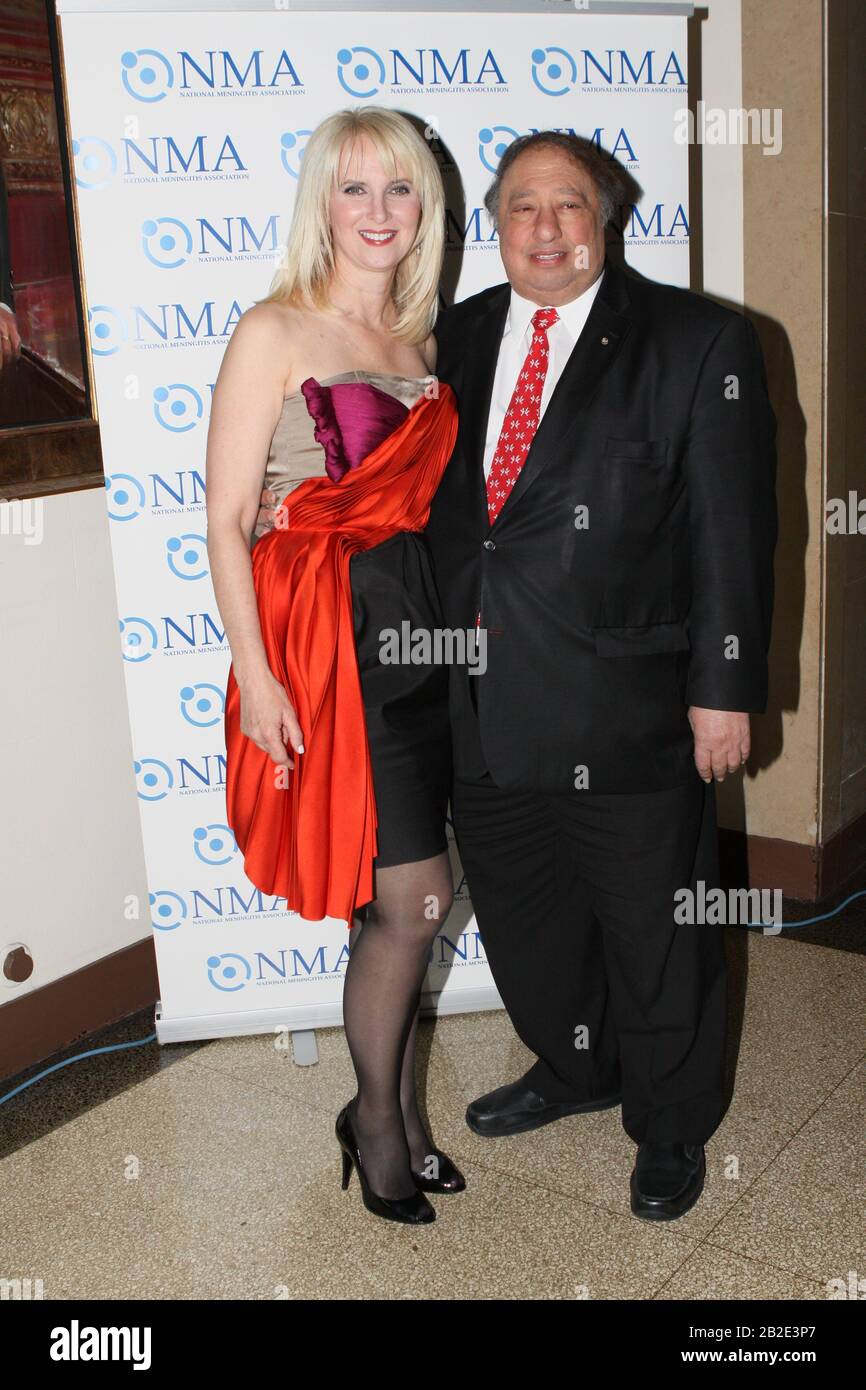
{"x":389,"y":957}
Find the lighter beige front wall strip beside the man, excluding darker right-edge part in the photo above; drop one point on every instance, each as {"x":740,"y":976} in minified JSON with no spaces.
{"x":783,"y":252}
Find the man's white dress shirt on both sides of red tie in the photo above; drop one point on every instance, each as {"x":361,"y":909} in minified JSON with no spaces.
{"x":514,"y":350}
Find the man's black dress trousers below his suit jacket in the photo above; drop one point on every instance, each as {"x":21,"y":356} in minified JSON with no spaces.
{"x":575,"y":901}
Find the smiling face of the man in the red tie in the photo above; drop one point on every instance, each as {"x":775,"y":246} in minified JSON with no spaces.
{"x":551,"y":231}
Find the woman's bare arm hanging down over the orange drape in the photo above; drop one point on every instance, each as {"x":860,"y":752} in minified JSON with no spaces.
{"x":245,"y":409}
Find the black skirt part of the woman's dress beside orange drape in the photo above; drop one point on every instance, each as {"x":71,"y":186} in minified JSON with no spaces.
{"x":405,"y":704}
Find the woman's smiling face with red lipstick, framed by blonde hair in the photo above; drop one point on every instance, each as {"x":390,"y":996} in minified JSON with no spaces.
{"x":375,"y":212}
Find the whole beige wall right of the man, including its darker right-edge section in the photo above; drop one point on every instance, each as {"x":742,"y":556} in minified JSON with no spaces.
{"x":806,"y":281}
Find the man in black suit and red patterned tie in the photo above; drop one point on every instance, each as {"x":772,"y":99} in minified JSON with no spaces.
{"x":608,"y":518}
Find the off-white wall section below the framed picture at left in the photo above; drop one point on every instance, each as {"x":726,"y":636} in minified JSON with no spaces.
{"x":69,"y":814}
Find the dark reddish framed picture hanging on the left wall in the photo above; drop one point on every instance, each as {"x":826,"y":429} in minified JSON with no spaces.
{"x":49,"y":432}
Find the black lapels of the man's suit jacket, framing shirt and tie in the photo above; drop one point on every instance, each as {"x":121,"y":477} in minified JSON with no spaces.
{"x":593,"y":355}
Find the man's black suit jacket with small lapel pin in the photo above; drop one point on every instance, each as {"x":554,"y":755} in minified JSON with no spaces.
{"x":605,"y":625}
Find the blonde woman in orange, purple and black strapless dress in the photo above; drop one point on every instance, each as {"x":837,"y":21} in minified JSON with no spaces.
{"x":338,"y":764}
